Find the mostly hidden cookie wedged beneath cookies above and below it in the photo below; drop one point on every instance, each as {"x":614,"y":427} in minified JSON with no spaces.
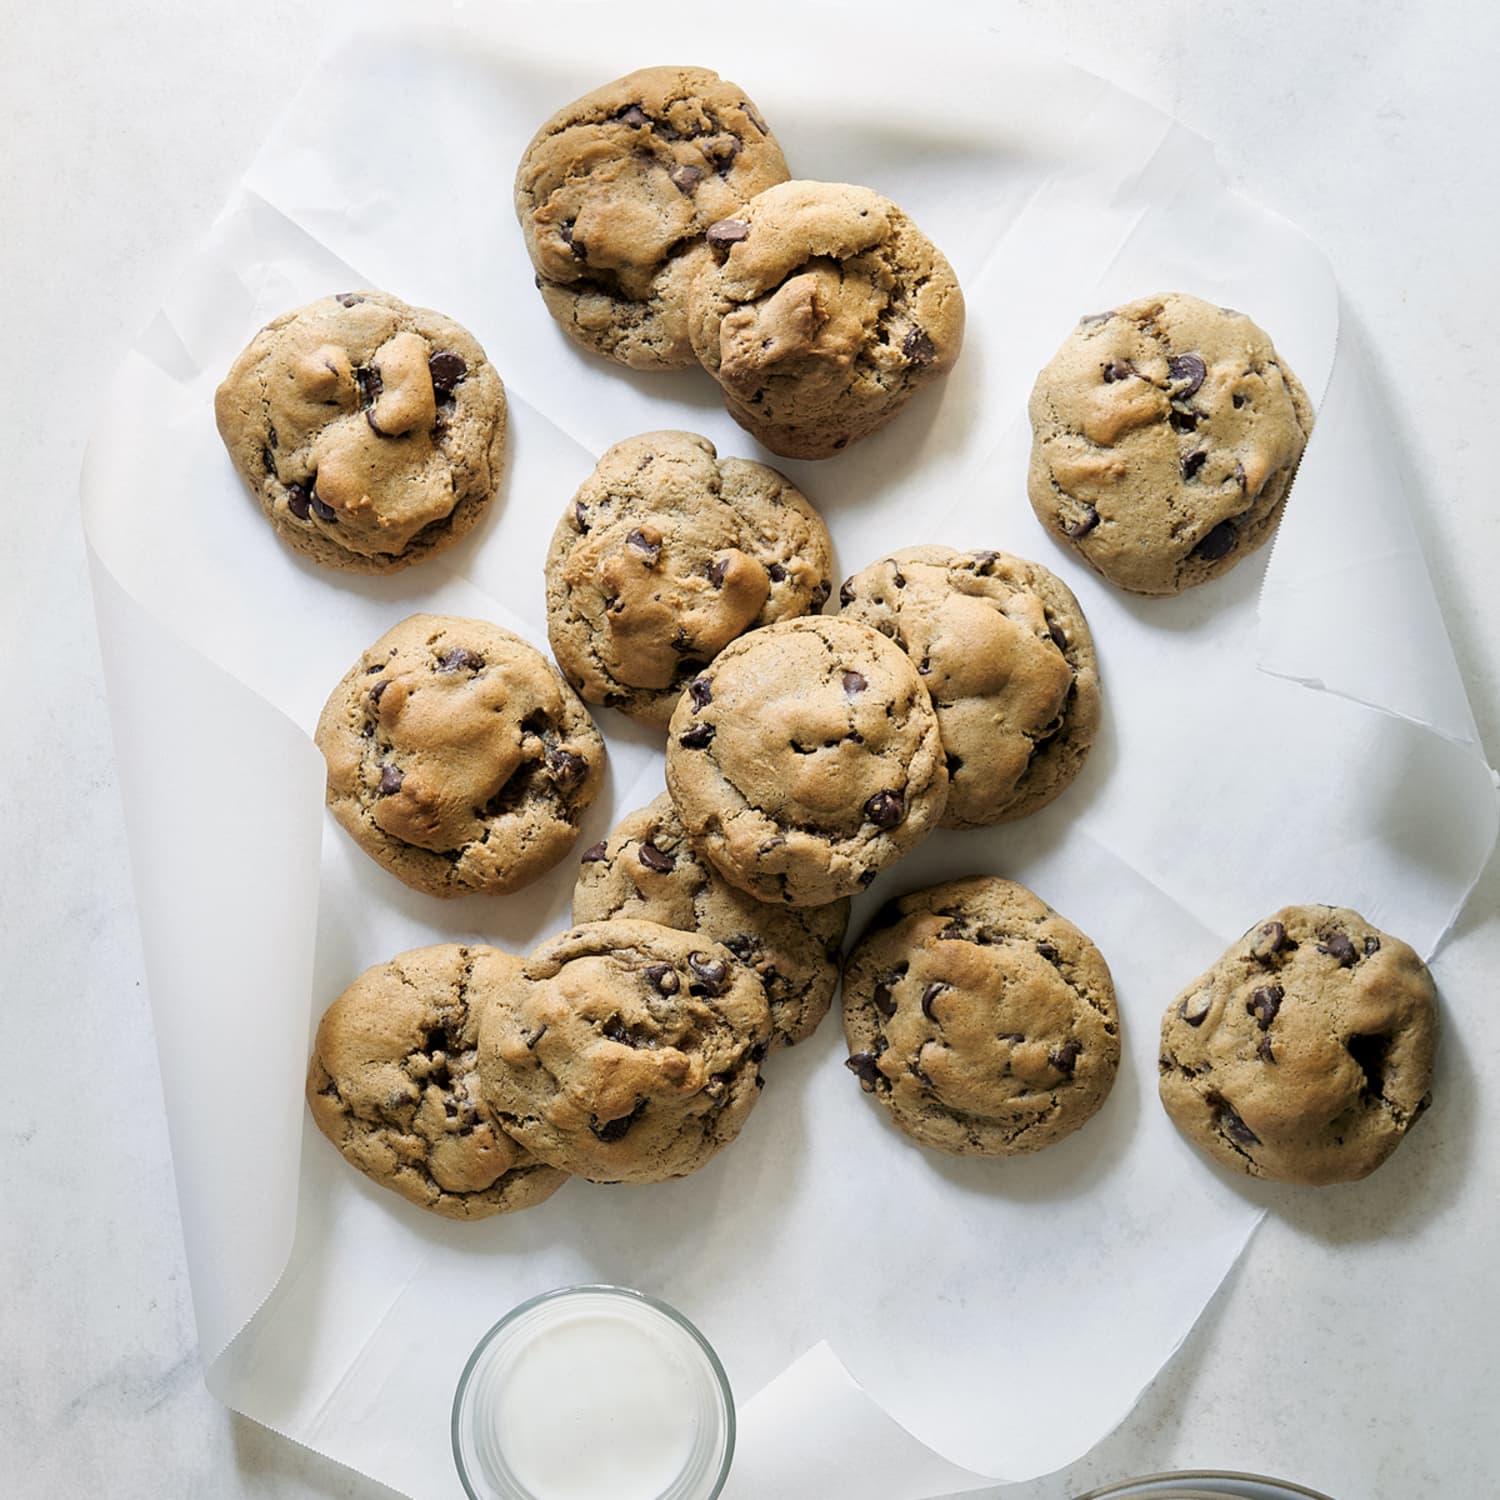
{"x":647,"y":869}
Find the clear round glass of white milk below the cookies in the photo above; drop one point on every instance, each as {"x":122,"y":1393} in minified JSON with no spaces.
{"x":593,"y":1394}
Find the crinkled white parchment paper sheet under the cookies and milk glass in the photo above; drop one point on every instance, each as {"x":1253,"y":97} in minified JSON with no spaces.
{"x":1306,"y":743}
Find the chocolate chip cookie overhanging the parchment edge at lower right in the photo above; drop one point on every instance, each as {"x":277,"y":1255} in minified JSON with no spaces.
{"x":1306,"y":1054}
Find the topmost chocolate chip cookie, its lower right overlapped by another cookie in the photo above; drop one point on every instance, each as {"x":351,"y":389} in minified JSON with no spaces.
{"x":614,"y":196}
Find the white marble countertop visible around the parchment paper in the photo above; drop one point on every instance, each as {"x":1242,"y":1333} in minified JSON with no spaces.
{"x":1355,"y":1346}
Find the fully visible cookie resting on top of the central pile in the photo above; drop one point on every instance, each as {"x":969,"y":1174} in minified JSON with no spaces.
{"x":806,"y":760}
